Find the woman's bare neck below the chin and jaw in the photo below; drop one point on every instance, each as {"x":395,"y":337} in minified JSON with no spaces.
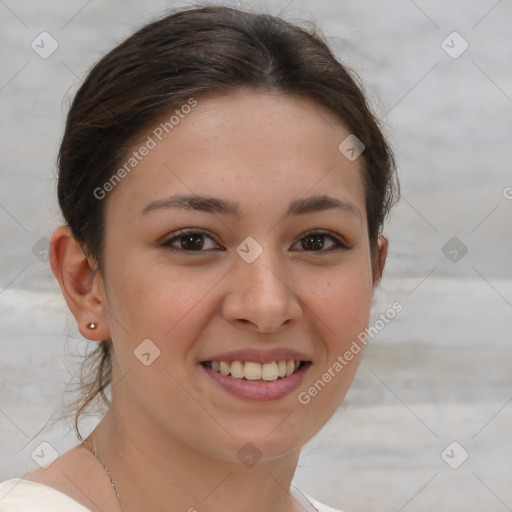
{"x":153,"y":469}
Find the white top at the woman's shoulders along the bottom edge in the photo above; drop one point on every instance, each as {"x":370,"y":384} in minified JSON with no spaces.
{"x":18,"y":495}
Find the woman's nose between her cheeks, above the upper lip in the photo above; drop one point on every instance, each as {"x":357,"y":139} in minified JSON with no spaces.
{"x":261,"y":296}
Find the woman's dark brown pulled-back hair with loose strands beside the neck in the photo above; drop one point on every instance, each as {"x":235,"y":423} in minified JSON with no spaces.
{"x":189,"y":53}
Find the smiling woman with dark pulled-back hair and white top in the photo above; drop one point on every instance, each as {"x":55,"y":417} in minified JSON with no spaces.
{"x":224,"y":187}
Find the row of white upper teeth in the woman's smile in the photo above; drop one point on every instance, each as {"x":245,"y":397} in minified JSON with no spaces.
{"x":255,"y":371}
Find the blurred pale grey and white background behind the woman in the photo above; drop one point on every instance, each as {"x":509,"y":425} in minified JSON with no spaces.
{"x":428,"y":420}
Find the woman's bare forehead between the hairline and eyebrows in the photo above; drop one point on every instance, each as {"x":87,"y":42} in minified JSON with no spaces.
{"x":257,"y":148}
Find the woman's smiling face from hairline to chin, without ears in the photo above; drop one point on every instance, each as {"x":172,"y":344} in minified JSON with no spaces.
{"x":262,"y":274}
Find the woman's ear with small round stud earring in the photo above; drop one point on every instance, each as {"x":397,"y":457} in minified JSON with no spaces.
{"x":81,"y":285}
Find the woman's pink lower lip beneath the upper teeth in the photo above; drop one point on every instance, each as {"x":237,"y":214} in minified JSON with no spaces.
{"x":259,"y":390}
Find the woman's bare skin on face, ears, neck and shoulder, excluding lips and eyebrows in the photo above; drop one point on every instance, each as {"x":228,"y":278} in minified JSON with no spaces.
{"x":171,"y":435}
